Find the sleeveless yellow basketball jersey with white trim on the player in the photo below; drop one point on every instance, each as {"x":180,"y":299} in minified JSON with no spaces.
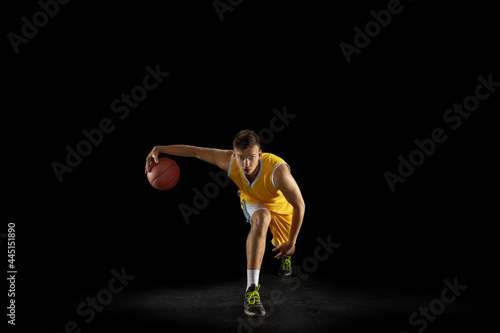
{"x":262,"y":189}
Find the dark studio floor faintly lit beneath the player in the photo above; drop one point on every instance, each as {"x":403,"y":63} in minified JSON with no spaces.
{"x":312,"y":305}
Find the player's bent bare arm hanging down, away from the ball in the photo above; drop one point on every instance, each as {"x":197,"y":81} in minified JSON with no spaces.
{"x":284,"y":181}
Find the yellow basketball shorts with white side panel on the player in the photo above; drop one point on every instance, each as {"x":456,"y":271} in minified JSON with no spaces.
{"x":280,"y":223}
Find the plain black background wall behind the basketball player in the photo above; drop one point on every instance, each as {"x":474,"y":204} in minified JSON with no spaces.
{"x":352,"y":121}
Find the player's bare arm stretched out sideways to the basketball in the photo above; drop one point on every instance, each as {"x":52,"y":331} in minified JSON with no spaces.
{"x":219,"y":157}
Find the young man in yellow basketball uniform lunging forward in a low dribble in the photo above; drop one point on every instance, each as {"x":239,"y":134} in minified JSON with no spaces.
{"x":269,"y":197}
